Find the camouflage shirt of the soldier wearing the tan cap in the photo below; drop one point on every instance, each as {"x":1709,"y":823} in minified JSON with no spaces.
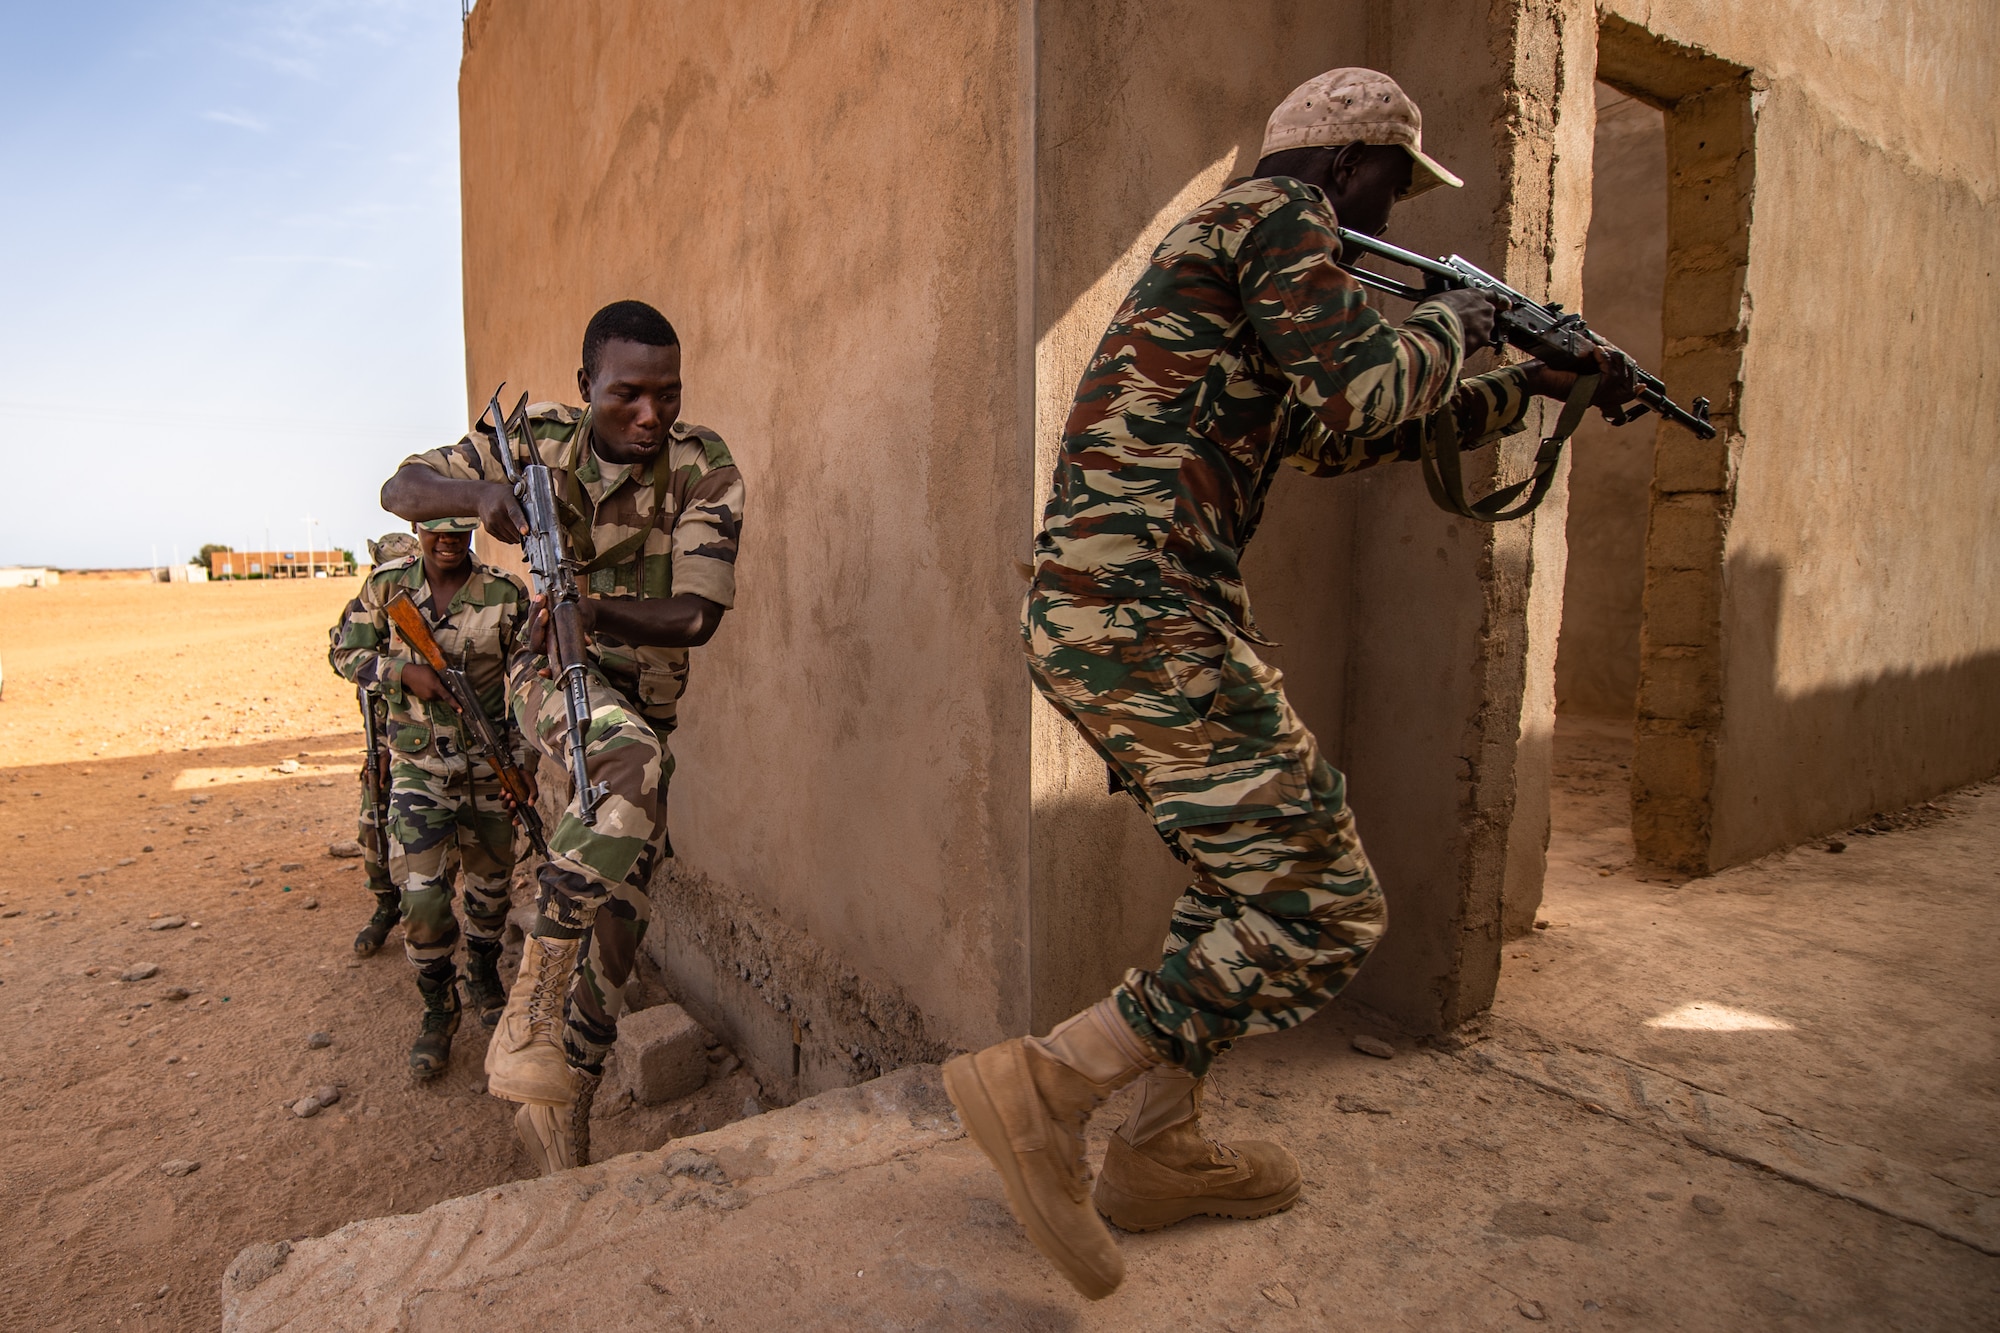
{"x":1243,"y":345}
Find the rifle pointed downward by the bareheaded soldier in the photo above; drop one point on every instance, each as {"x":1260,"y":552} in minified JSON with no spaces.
{"x":555,"y":583}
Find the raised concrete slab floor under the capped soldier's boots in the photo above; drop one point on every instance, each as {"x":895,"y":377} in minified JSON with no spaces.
{"x":1751,"y":1102}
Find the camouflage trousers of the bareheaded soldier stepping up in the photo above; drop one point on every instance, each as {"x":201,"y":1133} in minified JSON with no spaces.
{"x":595,"y":882}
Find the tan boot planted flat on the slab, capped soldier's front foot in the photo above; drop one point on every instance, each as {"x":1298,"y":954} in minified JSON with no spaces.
{"x":1161,"y":1170}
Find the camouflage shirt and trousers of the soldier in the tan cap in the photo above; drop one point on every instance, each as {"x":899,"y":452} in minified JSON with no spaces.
{"x":1241,"y":347}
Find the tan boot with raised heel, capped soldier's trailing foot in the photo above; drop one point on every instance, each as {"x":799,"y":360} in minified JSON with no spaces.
{"x":1025,"y":1104}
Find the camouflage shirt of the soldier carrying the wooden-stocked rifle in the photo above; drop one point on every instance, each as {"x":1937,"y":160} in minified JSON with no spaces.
{"x":481,"y":631}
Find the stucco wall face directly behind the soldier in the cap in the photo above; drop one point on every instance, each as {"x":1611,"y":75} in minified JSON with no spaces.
{"x":1143,"y":111}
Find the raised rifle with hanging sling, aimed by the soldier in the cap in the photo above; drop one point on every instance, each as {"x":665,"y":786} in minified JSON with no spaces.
{"x":1547,"y":333}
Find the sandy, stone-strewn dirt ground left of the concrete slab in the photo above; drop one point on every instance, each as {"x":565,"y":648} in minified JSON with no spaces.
{"x":175,"y":752}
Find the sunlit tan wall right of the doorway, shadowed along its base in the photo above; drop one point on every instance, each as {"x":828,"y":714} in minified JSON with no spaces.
{"x":1857,"y":659}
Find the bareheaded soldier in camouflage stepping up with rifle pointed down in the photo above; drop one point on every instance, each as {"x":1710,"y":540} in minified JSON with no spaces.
{"x":655,"y":515}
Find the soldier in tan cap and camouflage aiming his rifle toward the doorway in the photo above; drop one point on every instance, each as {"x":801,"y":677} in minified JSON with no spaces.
{"x":1241,"y":347}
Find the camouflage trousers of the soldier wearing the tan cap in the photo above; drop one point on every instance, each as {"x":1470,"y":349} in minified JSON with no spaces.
{"x":1283,"y":910}
